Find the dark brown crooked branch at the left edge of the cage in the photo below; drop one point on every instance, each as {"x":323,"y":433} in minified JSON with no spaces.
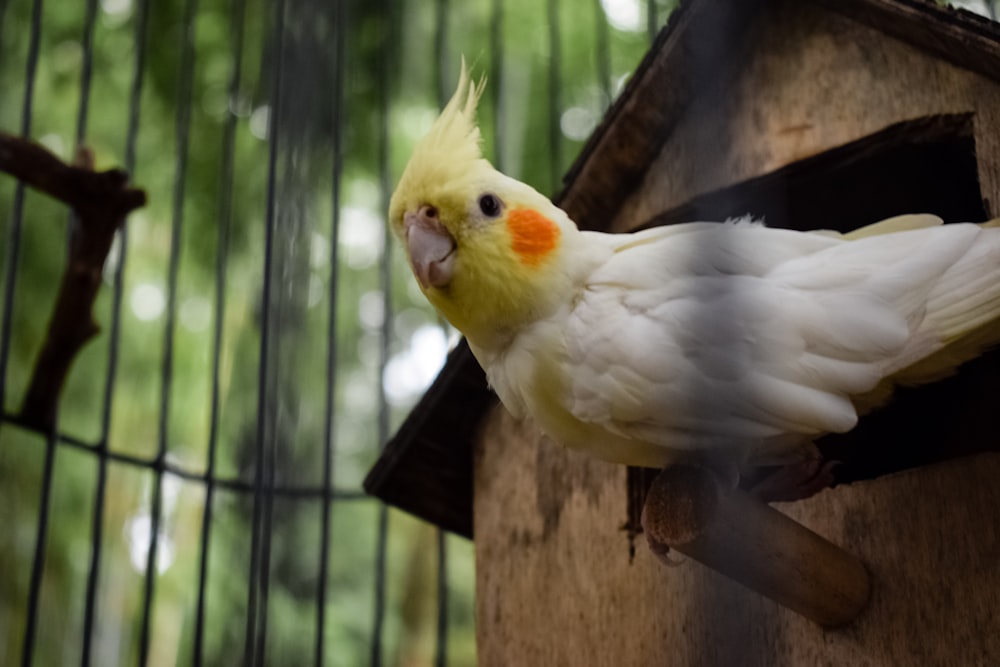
{"x":101,"y":201}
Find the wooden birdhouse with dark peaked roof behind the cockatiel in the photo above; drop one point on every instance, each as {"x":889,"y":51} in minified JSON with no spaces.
{"x":811,"y":115}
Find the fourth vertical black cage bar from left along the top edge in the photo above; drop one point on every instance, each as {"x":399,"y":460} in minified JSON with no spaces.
{"x":181,"y":131}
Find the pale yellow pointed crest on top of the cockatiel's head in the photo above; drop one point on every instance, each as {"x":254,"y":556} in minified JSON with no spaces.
{"x":449,"y":152}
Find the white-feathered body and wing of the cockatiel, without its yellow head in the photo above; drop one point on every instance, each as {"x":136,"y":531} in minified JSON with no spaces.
{"x":708,"y":338}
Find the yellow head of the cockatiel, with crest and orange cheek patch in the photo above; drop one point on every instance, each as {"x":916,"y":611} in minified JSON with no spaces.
{"x":485,"y":248}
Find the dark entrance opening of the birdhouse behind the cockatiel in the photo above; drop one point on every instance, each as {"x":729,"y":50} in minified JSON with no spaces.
{"x":927,"y":165}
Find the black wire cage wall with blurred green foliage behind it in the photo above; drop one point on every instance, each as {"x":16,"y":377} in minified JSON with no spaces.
{"x":197,"y":500}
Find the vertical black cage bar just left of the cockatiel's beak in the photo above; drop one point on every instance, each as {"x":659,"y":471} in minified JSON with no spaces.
{"x":385,"y":282}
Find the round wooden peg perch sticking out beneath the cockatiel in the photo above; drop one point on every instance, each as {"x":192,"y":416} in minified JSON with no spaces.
{"x":756,"y":545}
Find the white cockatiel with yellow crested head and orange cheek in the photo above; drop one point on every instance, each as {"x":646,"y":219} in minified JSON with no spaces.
{"x":729,"y":344}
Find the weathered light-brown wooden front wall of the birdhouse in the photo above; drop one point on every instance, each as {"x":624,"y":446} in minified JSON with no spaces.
{"x":555,"y":584}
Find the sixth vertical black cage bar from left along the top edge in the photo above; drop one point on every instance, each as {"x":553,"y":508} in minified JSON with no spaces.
{"x":255,"y":644}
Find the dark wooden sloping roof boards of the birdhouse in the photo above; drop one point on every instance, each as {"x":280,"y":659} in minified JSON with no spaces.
{"x":427,"y":467}
